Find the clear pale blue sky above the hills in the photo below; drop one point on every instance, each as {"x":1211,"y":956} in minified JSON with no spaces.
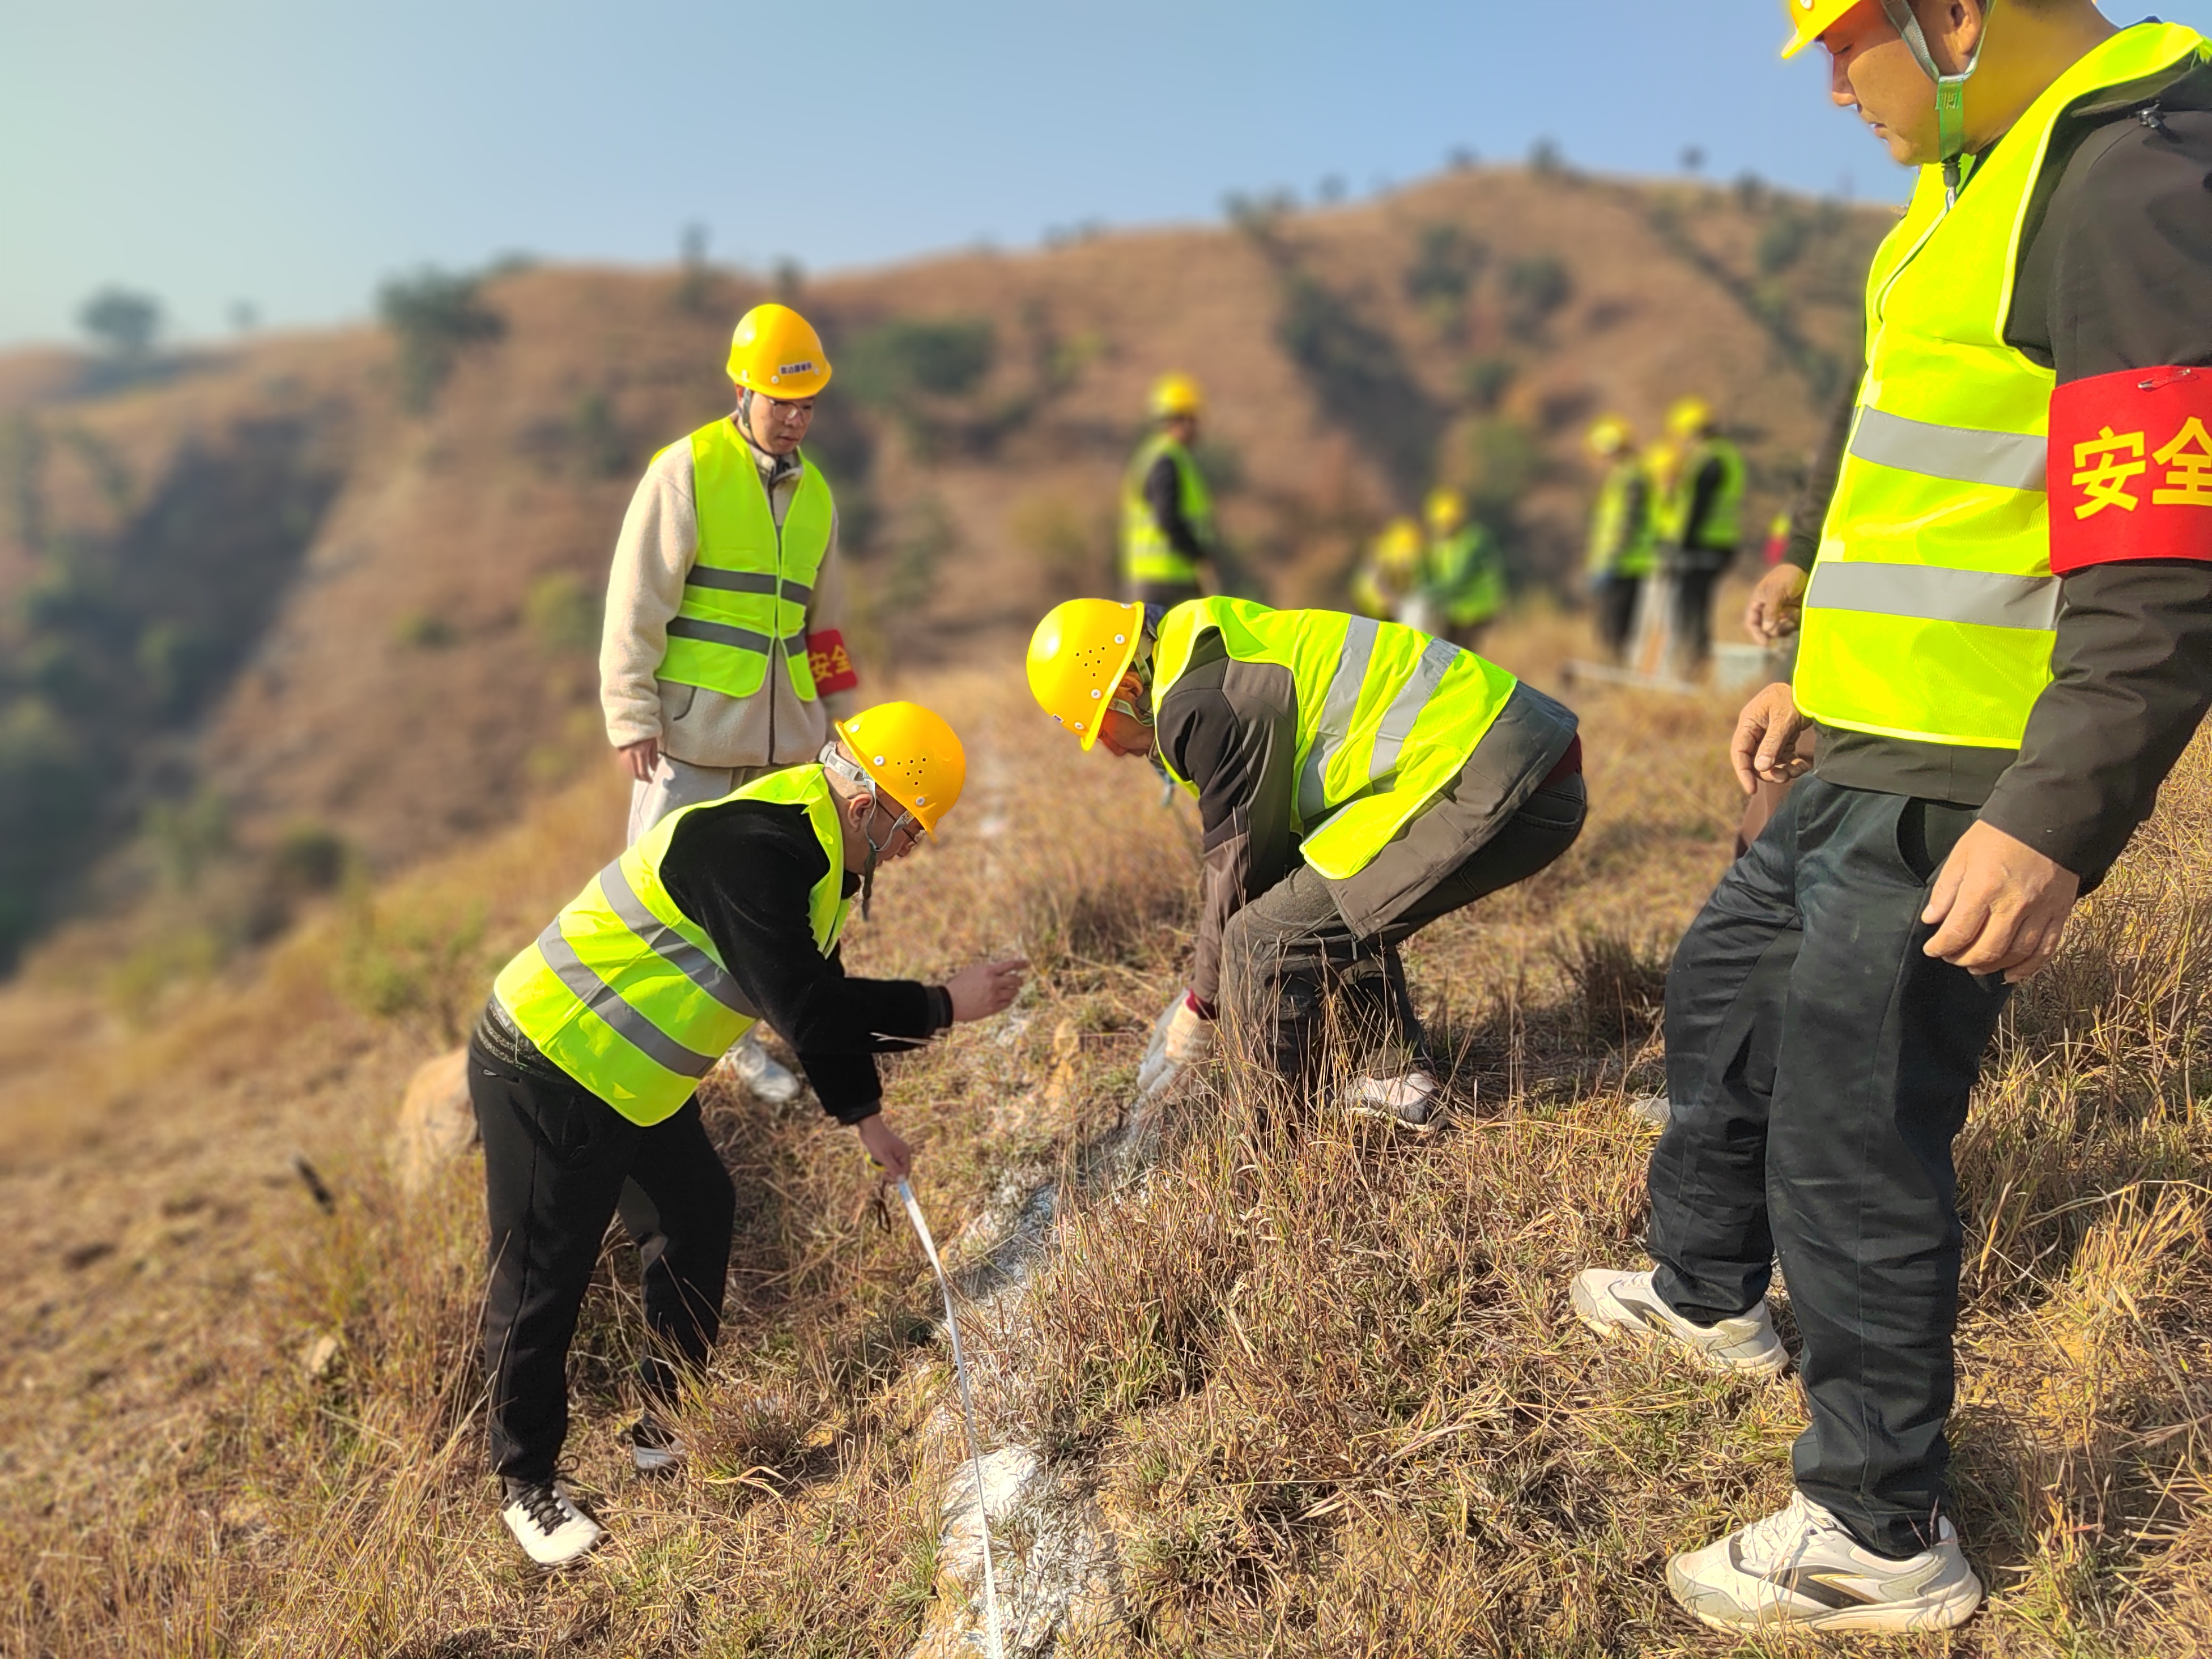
{"x":291,"y":154}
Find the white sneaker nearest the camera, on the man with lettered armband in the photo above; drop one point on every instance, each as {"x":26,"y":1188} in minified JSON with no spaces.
{"x":1799,"y":1567}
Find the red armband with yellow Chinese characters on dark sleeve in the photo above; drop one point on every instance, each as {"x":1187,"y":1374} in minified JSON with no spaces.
{"x":2131,"y":468}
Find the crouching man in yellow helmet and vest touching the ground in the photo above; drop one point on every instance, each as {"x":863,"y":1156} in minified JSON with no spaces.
{"x":1357,"y":780}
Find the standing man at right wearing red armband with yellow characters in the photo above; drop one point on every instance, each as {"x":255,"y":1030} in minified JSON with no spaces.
{"x":2001,"y":662}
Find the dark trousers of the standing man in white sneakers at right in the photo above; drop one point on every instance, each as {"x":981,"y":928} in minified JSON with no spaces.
{"x":1819,"y":1070}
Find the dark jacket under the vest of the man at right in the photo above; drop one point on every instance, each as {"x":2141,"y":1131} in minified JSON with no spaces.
{"x":2116,"y":273}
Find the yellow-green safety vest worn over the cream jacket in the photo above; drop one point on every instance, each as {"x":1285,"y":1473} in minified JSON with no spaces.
{"x":751,"y":581}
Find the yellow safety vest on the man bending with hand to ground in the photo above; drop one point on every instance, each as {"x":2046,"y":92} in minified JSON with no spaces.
{"x":1386,"y":716}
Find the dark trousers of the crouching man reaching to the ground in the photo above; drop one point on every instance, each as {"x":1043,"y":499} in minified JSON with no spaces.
{"x":1288,"y":952}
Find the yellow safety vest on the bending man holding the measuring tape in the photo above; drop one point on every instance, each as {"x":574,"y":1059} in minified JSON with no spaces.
{"x":627,"y":994}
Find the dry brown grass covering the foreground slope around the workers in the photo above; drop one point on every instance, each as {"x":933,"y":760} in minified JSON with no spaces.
{"x":1322,"y":1381}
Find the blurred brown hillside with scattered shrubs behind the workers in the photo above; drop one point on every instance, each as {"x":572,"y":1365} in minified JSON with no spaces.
{"x":264,"y":618}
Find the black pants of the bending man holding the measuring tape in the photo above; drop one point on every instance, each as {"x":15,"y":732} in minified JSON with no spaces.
{"x":559,"y":1165}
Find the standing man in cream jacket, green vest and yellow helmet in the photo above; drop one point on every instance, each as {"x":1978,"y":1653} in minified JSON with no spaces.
{"x":722,"y":656}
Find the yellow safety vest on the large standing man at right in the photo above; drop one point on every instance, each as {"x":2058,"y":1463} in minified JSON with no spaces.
{"x":1932,"y":607}
